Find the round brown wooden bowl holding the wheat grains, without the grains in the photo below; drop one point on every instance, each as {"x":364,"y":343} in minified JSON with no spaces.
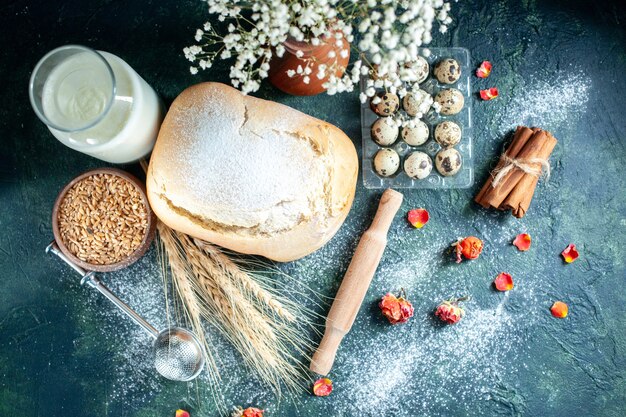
{"x":141,"y":249}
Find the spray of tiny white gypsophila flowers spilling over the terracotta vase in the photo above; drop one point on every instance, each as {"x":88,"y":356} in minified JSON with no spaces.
{"x":388,"y":32}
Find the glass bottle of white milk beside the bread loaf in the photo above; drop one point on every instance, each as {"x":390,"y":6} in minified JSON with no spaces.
{"x":95,"y":103}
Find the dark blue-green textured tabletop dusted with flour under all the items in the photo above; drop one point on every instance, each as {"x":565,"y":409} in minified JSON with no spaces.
{"x":559,"y":65}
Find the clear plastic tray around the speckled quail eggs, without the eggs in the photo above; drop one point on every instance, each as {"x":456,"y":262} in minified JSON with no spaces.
{"x":465,"y":177}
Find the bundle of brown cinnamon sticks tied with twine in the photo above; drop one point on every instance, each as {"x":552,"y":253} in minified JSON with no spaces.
{"x":512,"y":182}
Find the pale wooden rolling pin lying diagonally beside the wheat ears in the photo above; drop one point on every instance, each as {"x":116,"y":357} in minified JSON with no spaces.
{"x":356,"y":282}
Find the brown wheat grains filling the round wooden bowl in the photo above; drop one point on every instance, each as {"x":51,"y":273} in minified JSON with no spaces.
{"x":103,"y":219}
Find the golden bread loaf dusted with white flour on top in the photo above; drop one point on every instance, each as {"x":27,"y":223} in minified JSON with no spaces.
{"x":250,"y":175}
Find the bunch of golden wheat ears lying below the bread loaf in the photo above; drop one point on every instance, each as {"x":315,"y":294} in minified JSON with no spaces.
{"x":260,"y":326}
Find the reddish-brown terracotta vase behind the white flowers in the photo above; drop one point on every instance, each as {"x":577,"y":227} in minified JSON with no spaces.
{"x":315,"y":55}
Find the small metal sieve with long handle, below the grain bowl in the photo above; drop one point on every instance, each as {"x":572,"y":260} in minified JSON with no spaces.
{"x":178,"y":354}
